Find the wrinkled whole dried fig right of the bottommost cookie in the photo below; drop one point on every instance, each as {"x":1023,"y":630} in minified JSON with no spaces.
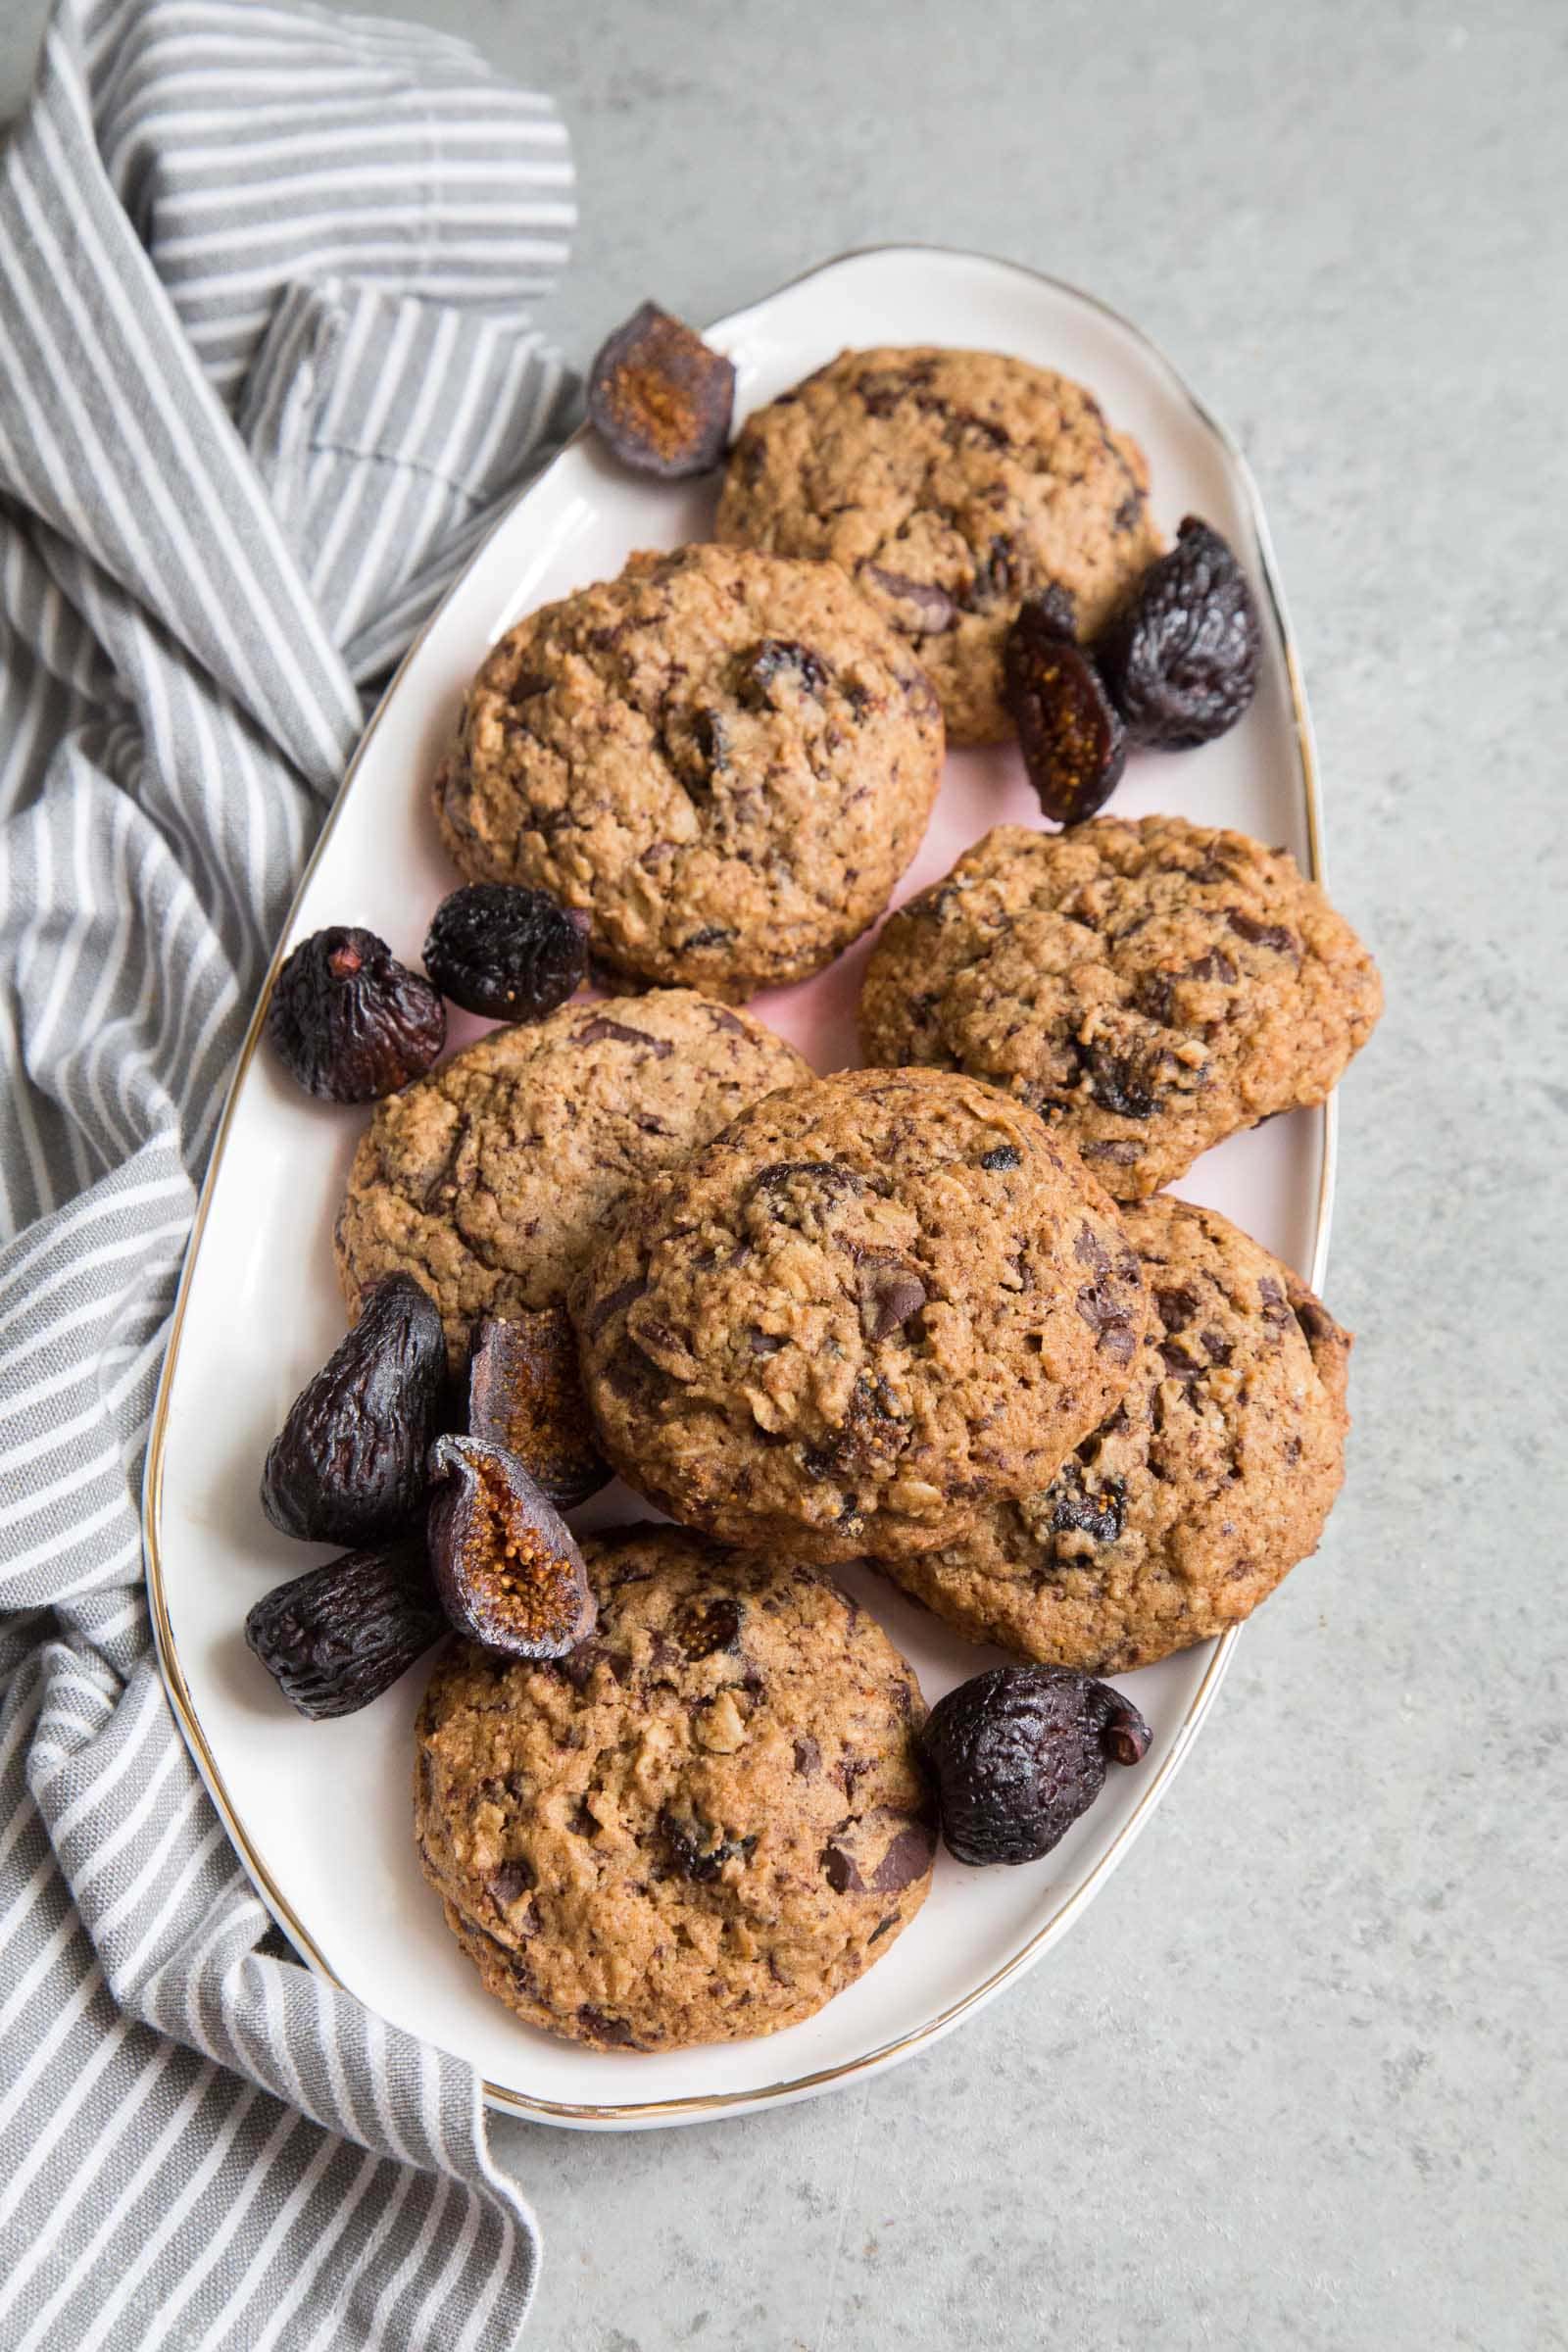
{"x":1021,"y":1753}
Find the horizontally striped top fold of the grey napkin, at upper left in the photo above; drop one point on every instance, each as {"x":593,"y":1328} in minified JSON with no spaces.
{"x":413,"y":168}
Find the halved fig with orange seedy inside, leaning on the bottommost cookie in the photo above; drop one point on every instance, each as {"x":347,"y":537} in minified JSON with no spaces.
{"x":504,"y":1561}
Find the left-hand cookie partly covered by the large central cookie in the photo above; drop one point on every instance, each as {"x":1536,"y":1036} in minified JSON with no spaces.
{"x":490,"y":1180}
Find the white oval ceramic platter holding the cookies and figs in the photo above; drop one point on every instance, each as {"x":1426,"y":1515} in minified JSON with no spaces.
{"x":321,"y":1812}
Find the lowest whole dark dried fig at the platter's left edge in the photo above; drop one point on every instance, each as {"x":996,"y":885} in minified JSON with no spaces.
{"x":342,"y":1636}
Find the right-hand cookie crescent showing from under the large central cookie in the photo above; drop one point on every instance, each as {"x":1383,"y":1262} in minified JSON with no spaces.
{"x":1202,"y":1490}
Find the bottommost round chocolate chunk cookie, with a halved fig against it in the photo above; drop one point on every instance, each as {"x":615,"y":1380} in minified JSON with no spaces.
{"x":699,"y":1826}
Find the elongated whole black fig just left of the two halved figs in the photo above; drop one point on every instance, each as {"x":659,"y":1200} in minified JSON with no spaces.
{"x":351,"y":1462}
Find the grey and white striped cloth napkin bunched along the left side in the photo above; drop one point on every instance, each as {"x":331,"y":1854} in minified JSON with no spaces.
{"x":267,"y":375}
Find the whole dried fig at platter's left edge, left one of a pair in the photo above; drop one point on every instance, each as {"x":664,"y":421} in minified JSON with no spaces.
{"x":349,"y":1022}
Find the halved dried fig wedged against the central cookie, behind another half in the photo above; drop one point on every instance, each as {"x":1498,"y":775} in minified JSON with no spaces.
{"x":528,"y":1398}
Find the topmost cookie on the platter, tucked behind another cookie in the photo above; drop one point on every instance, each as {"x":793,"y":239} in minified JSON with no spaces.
{"x":951,"y":486}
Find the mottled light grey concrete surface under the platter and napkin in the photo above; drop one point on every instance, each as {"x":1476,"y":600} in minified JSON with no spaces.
{"x":1299,"y":2078}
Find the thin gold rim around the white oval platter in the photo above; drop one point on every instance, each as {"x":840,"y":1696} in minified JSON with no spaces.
{"x":1202,"y":1699}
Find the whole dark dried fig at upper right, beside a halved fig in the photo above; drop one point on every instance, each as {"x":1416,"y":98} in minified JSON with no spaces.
{"x":1181,"y":660}
